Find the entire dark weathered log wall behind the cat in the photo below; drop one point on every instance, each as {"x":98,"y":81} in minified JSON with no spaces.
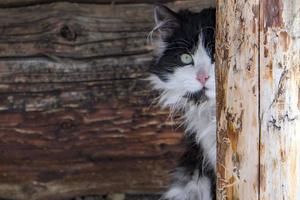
{"x":76,"y":117}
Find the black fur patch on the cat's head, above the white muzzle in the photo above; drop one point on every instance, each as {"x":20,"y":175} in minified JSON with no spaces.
{"x":183,"y":30}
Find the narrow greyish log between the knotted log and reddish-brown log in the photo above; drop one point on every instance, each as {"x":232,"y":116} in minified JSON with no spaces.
{"x":39,"y":71}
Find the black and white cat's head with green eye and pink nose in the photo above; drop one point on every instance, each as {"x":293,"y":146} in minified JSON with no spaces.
{"x":184,"y":69}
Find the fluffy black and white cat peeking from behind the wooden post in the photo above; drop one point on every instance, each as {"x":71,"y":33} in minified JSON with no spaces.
{"x":184,"y":73}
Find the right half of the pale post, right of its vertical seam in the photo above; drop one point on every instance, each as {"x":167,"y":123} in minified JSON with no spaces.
{"x":280,"y":99}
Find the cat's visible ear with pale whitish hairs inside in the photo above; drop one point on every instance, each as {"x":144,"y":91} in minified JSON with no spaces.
{"x":166,"y":21}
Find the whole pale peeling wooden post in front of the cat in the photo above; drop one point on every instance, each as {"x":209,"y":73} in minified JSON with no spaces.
{"x":258,"y":77}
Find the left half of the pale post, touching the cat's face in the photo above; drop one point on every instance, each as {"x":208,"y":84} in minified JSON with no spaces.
{"x":237,"y":88}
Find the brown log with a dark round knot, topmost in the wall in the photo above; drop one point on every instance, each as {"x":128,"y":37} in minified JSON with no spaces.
{"x":65,"y":30}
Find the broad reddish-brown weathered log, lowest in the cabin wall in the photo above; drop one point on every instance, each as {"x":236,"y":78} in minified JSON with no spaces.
{"x":76,"y":135}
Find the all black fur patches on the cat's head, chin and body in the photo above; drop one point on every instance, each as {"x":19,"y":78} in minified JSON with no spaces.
{"x":181,"y":35}
